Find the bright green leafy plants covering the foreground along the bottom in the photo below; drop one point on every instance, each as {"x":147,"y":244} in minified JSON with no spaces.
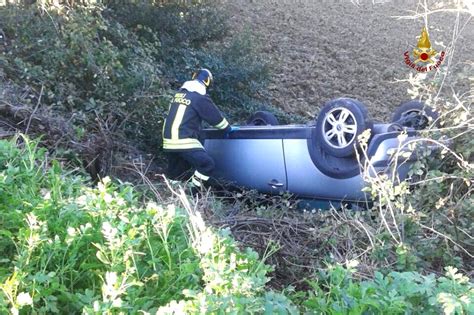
{"x":71,"y":248}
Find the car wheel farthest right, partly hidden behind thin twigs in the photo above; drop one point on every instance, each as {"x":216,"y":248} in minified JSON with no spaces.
{"x":414,"y":114}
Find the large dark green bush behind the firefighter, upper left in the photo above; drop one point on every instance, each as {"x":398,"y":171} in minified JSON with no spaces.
{"x":111,"y":68}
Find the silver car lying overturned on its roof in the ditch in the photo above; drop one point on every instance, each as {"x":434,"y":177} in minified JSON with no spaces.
{"x":319,"y":160}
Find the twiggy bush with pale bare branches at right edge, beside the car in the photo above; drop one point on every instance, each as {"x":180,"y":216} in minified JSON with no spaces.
{"x":425,"y":223}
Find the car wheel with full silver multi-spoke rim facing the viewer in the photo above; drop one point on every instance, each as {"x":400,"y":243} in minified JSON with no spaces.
{"x":338,"y":125}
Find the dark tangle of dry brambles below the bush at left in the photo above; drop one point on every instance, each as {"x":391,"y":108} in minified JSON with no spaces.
{"x":101,"y":151}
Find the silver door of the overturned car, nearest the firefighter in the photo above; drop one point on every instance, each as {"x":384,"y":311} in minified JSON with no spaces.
{"x":249,"y":162}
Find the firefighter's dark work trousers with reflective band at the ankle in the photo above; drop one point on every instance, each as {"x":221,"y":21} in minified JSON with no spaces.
{"x":181,"y":164}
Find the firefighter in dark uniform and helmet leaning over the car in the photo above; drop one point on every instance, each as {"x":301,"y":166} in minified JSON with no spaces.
{"x":189,"y":107}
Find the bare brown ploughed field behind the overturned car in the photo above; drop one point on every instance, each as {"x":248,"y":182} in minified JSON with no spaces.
{"x":326,"y":49}
